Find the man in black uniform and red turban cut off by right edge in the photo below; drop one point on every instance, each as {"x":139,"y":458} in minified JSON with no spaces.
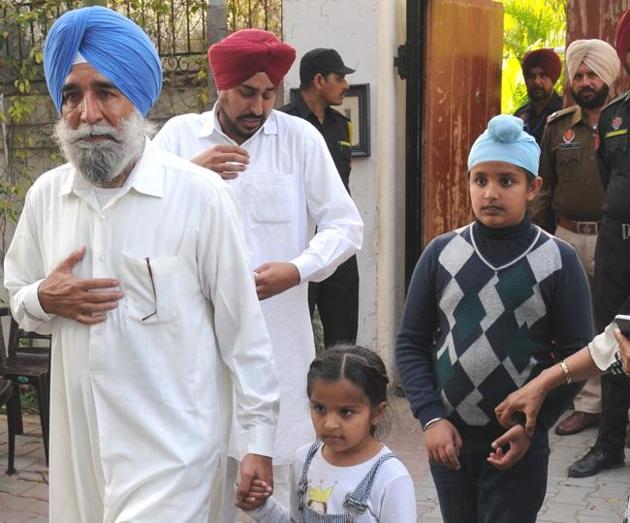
{"x":612,"y":265}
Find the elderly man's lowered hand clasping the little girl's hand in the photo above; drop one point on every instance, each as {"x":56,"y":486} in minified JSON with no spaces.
{"x":256,"y":483}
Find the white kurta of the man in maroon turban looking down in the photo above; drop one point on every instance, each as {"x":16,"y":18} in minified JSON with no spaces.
{"x":290,"y":186}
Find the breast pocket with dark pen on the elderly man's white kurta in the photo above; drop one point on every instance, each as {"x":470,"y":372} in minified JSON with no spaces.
{"x":150,"y":287}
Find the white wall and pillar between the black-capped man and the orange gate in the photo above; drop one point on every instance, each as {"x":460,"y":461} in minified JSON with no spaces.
{"x":367,"y":33}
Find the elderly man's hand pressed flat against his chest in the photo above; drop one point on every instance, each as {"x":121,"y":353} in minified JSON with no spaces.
{"x":85,"y":301}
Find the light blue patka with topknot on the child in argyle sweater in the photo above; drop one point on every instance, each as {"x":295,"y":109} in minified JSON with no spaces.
{"x":505,"y":141}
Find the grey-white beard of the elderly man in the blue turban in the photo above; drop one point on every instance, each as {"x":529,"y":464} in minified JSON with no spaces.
{"x":100,"y":162}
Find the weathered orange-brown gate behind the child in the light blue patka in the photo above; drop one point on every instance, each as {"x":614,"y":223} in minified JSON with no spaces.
{"x":462,"y":90}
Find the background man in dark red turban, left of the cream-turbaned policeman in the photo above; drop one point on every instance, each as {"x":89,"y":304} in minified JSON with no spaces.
{"x":541,"y":69}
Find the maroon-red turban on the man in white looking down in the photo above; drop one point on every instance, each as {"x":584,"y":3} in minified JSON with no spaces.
{"x":247,"y":52}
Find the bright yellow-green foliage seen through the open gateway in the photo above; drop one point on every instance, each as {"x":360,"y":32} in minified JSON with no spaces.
{"x":528,"y":25}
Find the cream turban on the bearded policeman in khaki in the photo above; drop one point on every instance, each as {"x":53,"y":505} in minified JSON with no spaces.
{"x":596,"y":55}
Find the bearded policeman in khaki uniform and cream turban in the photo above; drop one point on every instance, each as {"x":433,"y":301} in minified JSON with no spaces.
{"x":571,"y":182}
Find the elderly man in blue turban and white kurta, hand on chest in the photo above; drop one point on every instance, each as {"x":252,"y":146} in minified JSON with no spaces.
{"x":134,"y":260}
